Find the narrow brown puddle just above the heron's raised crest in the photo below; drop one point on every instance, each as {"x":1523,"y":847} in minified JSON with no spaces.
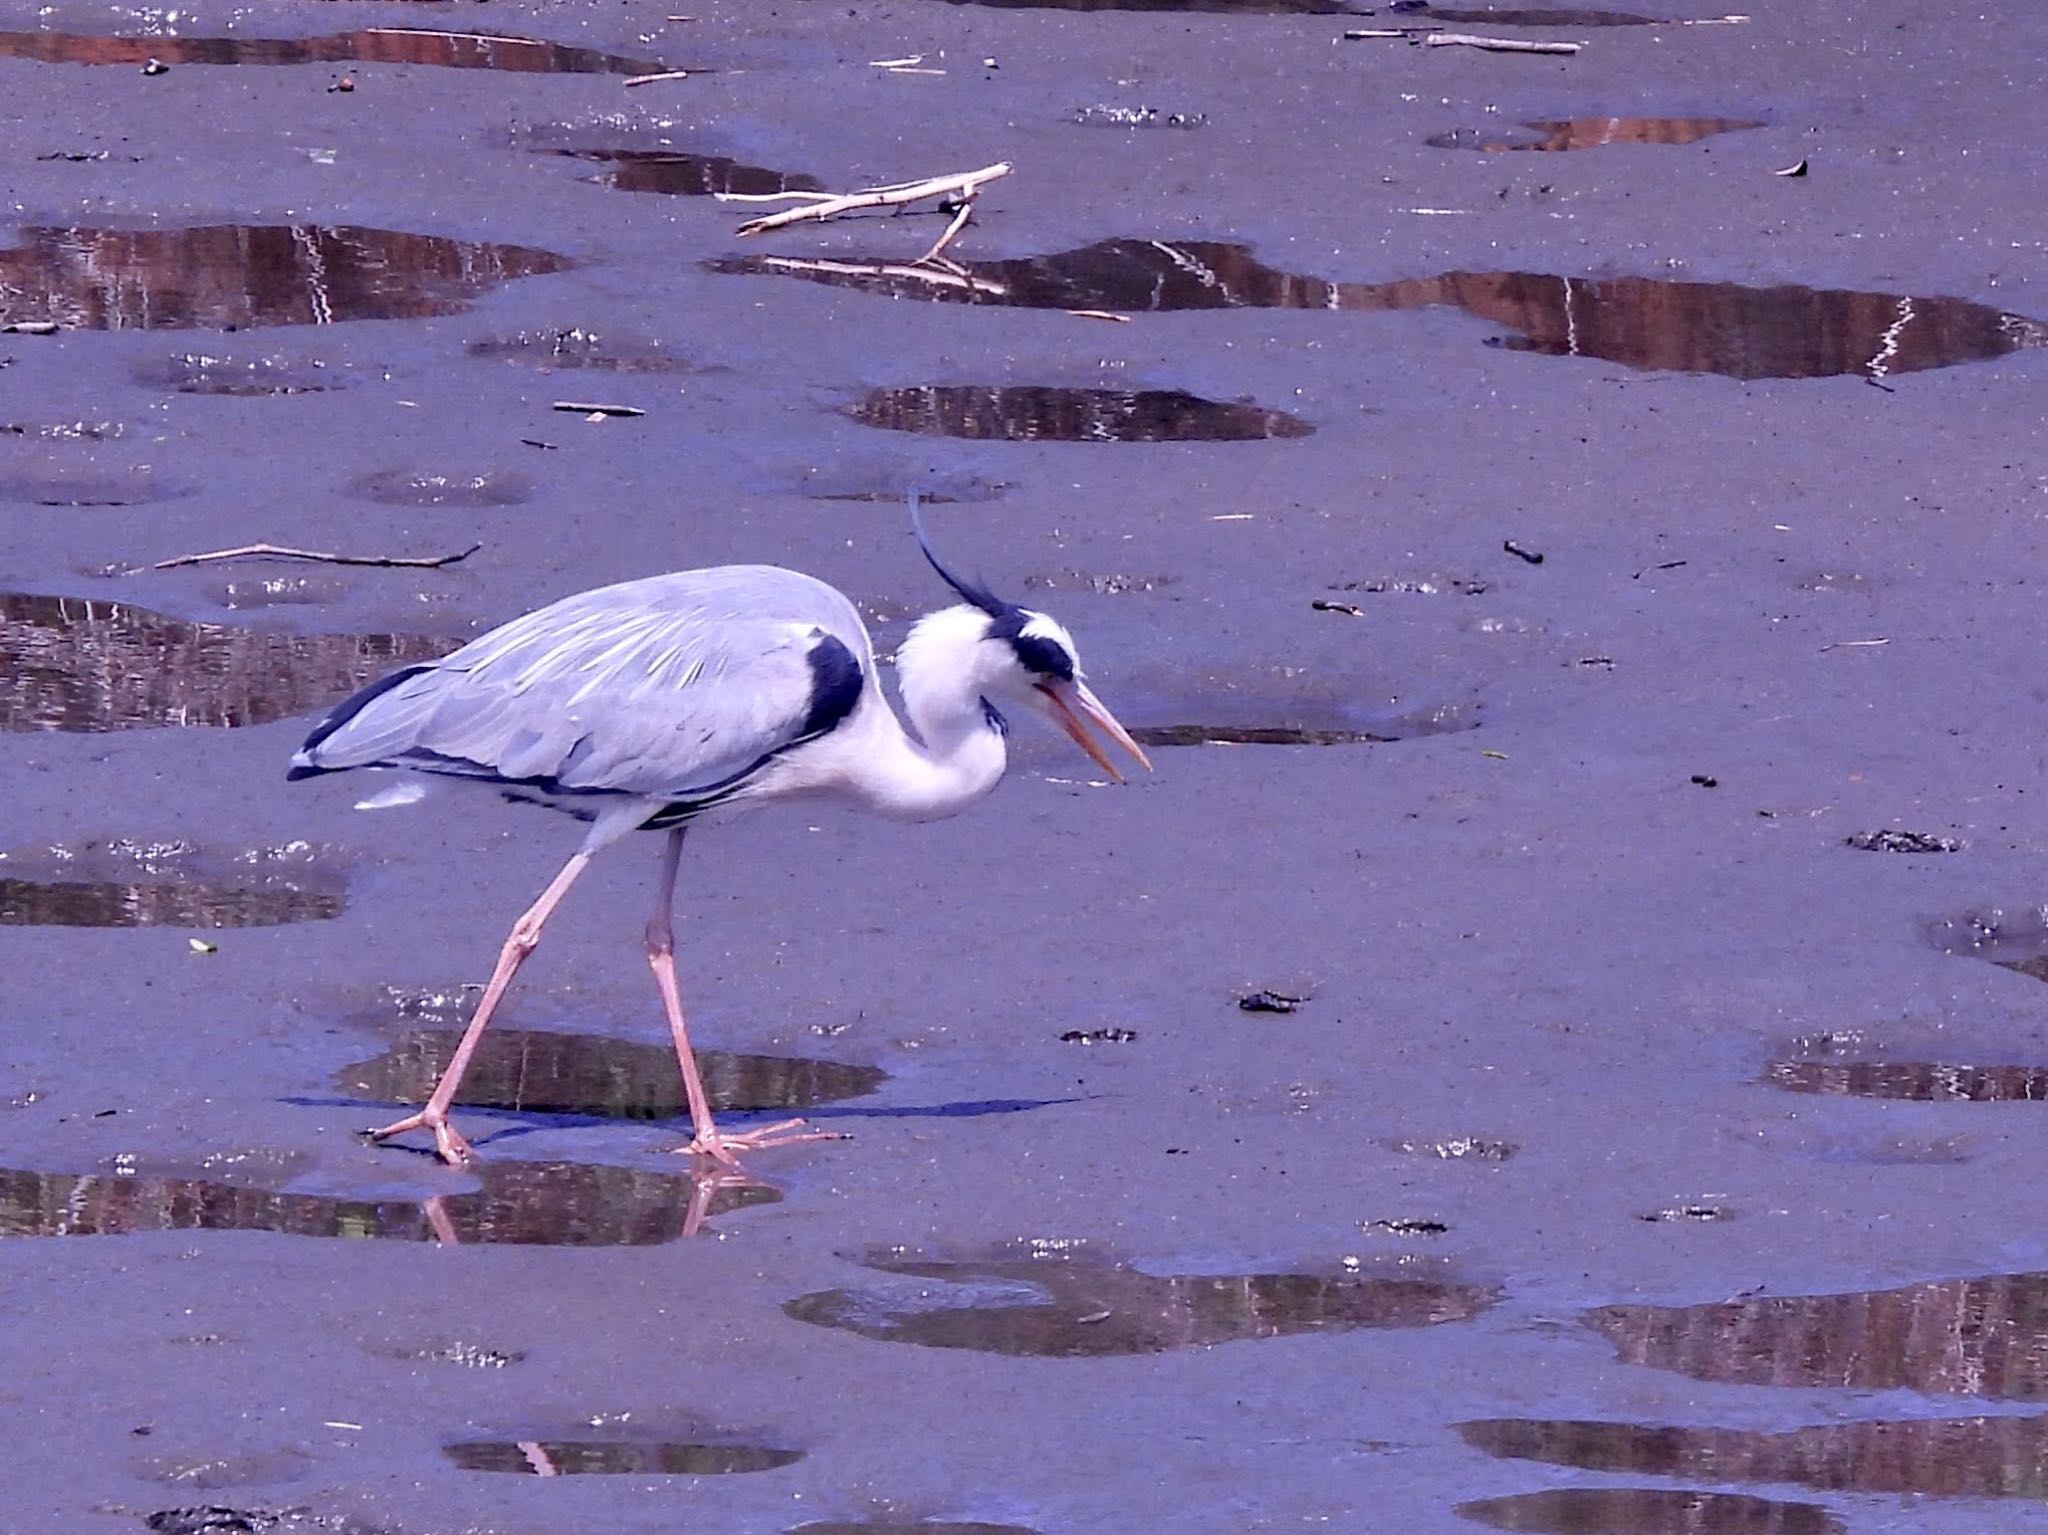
{"x":1048,"y":414}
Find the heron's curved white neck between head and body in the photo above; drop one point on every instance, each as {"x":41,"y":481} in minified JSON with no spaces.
{"x":959,"y":756}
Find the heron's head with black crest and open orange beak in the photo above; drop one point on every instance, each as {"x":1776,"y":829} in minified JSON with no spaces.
{"x":1015,"y":660}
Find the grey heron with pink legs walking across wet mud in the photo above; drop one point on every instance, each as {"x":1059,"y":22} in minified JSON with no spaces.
{"x":658,"y":703}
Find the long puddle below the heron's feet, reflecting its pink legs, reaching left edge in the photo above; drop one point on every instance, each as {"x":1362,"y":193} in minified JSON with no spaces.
{"x":536,"y":1204}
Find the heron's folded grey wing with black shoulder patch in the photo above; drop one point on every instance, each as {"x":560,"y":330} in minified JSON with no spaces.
{"x":654,"y":689}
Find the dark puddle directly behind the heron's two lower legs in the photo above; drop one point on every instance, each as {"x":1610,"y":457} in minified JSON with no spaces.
{"x":585,"y":1073}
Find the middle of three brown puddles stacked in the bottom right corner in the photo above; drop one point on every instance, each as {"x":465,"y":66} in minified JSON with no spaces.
{"x":1949,"y":1458}
